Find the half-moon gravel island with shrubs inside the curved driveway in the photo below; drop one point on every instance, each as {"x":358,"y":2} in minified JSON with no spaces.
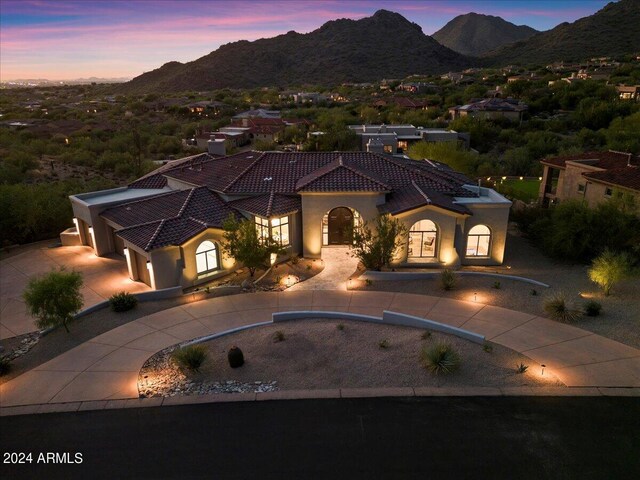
{"x":318,"y":354}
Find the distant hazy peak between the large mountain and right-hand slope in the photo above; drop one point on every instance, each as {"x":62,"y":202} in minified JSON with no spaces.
{"x":475,"y":34}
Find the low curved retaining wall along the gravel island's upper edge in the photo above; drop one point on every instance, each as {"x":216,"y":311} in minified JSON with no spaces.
{"x":388,"y":318}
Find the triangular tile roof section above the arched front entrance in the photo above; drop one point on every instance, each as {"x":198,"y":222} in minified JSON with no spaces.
{"x":339,"y":176}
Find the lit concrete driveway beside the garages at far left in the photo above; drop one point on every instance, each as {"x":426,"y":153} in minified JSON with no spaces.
{"x":103,"y":276}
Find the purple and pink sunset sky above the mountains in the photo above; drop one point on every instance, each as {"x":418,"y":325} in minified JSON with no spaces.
{"x":68,"y":39}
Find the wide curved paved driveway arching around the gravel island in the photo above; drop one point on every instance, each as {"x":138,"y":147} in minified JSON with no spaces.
{"x":106,"y":368}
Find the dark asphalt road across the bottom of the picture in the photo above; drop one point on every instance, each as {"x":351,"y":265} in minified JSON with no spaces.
{"x":437,"y":437}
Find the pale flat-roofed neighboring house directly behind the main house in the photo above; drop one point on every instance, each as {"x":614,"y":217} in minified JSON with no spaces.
{"x":398,"y":138}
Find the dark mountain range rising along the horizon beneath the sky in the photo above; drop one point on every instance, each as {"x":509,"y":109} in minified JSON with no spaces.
{"x":387,"y":45}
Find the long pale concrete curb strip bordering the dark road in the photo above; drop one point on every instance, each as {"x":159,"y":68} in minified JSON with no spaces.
{"x":343,"y":393}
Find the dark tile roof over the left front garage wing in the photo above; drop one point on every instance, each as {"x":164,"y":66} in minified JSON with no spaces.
{"x":200,"y":209}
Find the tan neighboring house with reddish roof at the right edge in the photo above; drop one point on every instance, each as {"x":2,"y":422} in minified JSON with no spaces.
{"x":591,"y":176}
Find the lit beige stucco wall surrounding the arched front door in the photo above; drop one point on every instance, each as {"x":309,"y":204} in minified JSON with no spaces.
{"x":316,"y":205}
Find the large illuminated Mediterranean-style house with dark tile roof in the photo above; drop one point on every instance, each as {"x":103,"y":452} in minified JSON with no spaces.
{"x":168,"y":224}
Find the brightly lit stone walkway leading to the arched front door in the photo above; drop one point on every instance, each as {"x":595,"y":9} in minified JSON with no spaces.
{"x":339,"y":265}
